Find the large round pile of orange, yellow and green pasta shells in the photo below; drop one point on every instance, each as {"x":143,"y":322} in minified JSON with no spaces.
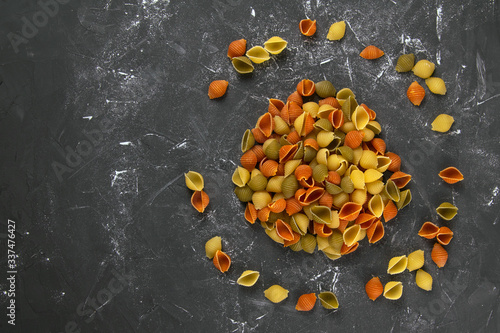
{"x":316,"y":175}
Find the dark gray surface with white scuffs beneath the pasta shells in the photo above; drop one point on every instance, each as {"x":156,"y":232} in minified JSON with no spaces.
{"x":143,"y":66}
